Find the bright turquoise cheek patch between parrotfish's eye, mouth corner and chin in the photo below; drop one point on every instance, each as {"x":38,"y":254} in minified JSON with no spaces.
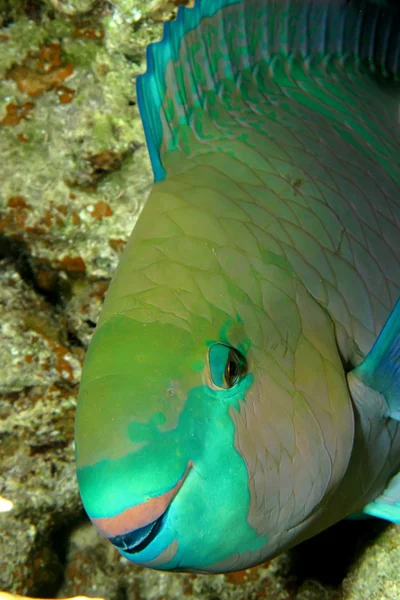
{"x":215,"y":502}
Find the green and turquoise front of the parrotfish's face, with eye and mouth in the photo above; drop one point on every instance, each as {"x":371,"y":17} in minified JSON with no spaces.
{"x":157,"y":467}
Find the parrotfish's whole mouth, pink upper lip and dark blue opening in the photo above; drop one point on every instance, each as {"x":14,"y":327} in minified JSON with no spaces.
{"x":133,"y":529}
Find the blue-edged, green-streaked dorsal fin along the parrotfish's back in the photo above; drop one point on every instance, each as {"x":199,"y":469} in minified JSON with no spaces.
{"x":185,"y":64}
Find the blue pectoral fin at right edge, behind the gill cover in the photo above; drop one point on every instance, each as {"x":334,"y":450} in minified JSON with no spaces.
{"x":380,"y":370}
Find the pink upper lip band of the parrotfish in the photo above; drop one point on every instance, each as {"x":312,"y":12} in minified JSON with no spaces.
{"x":138,"y":516}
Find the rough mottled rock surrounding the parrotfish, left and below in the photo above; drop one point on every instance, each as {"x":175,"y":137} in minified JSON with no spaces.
{"x":74,"y":173}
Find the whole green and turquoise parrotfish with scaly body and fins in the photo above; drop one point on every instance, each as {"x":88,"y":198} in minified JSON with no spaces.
{"x":241,"y":392}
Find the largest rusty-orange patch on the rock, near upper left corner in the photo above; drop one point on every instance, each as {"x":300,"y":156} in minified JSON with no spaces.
{"x":40,"y":72}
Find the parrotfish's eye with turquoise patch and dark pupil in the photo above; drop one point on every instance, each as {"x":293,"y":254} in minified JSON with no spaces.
{"x":226,"y":366}
